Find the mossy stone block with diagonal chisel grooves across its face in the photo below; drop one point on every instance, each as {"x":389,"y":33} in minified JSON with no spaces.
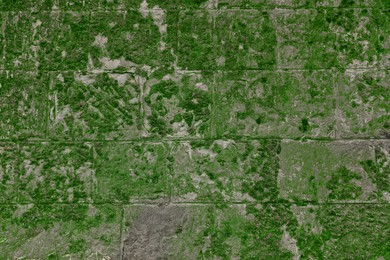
{"x":103,"y":106}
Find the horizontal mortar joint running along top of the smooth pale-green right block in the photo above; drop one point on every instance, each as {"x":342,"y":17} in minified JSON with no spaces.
{"x":189,"y":140}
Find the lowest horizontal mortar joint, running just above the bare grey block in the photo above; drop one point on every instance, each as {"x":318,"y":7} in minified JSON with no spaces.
{"x":195,"y":203}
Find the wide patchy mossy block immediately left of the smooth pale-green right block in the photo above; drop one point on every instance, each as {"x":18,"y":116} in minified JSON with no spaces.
{"x":230,"y":171}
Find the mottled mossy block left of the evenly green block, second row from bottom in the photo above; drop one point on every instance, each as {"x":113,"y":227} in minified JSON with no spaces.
{"x":55,"y":173}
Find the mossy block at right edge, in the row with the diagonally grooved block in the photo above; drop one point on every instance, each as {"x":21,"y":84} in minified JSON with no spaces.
{"x":363,"y":107}
